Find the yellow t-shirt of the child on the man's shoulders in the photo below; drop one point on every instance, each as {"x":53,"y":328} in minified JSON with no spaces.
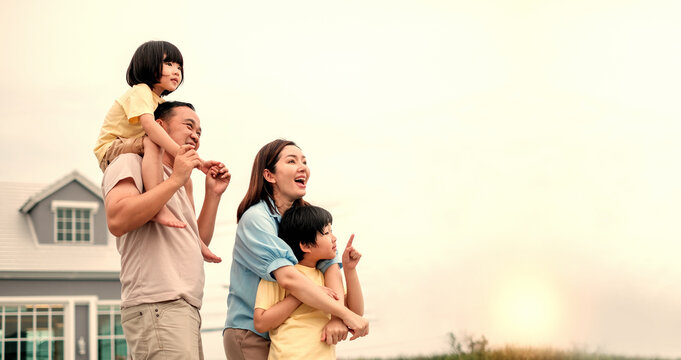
{"x":122,"y":120}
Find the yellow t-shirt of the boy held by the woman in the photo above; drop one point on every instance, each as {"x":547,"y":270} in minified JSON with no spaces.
{"x":299,"y":336}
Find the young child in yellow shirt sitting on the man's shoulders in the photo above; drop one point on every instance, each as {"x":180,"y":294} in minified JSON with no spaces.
{"x":155,"y":70}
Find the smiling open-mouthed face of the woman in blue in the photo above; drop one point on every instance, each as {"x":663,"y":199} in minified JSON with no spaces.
{"x":291,"y":174}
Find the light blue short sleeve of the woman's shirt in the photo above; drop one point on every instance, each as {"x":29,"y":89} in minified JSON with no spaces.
{"x":257,"y":246}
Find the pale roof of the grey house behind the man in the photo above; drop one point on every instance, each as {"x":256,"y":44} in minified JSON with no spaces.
{"x":23,"y":257}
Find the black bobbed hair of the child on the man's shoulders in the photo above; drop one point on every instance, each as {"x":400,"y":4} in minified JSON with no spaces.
{"x":146,"y":65}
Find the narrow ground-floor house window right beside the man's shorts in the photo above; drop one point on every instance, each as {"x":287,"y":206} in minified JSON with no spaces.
{"x":110,"y":339}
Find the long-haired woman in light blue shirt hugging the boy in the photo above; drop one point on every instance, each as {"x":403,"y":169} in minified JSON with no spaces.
{"x":278,"y":181}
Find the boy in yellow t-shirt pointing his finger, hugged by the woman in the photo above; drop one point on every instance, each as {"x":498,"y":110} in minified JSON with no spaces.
{"x":295,"y":328}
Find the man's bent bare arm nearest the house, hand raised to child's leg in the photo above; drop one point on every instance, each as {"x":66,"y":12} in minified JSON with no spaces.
{"x":127,"y":209}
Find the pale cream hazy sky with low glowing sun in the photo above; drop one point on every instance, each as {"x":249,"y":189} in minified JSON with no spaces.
{"x":509,"y":168}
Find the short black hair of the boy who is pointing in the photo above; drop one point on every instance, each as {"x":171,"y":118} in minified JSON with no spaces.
{"x":300,"y":225}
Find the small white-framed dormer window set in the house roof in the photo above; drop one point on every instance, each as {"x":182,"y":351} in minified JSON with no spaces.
{"x":73,"y":221}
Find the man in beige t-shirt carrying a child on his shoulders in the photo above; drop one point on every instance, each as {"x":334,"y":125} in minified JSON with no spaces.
{"x":162,"y":267}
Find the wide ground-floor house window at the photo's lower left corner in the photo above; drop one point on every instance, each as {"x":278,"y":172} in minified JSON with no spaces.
{"x":32,"y":331}
